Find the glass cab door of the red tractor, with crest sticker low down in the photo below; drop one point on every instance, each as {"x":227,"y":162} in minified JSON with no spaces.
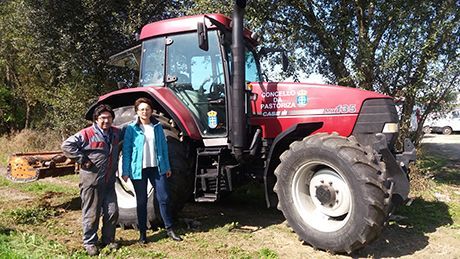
{"x":197,"y":78}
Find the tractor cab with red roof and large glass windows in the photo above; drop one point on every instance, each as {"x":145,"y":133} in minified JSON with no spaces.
{"x":199,"y":77}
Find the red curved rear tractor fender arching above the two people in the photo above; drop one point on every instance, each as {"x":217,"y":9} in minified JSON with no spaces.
{"x":164,"y":101}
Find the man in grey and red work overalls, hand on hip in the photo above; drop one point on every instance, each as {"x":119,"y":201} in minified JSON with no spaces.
{"x":96,"y":150}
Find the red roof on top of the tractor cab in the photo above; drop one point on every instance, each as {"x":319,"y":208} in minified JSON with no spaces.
{"x":186,"y":24}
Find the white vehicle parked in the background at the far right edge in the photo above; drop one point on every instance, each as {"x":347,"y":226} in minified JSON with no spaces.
{"x":445,"y":124}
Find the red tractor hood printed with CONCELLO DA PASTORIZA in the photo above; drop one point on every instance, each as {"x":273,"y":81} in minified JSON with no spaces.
{"x":277,"y":106}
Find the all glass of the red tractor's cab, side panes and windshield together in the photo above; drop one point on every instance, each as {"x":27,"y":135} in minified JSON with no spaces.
{"x":197,"y":77}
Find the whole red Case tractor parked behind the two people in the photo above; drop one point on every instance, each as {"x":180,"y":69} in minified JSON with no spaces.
{"x":324,"y":153}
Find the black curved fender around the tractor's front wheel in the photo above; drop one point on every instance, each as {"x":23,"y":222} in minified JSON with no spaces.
{"x":280,"y":144}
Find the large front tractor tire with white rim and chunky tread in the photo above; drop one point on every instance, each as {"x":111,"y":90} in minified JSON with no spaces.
{"x":331,"y":191}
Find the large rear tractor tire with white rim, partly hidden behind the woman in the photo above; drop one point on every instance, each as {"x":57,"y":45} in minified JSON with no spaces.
{"x":180,"y":182}
